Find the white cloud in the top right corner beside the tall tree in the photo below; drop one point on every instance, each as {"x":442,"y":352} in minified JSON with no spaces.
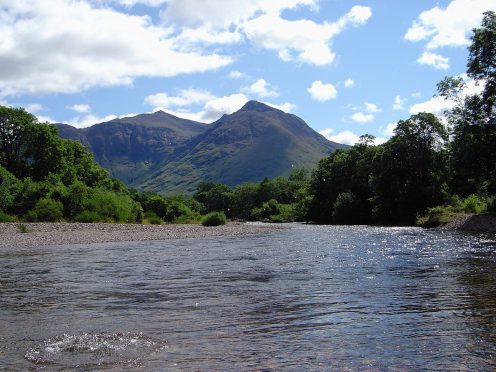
{"x":450,"y":26}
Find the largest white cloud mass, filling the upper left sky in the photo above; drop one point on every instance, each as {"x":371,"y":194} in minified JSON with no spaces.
{"x":68,"y":46}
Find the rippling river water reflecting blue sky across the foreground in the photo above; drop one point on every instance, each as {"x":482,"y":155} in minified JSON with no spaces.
{"x":309,"y":297}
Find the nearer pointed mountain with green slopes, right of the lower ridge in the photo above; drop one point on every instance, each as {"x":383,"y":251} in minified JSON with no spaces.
{"x":255,"y":142}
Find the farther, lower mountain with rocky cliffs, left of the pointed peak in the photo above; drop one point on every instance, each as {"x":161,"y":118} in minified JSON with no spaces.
{"x":130,"y":147}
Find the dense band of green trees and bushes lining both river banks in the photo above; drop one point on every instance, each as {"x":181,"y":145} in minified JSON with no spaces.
{"x":427,"y":171}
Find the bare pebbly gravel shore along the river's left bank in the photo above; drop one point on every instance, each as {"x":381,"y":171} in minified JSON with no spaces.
{"x":39,"y":234}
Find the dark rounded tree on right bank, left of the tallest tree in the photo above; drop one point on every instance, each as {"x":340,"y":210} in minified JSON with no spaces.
{"x":409,"y":173}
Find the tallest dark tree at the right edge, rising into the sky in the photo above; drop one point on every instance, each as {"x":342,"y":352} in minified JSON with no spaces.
{"x":473,"y":118}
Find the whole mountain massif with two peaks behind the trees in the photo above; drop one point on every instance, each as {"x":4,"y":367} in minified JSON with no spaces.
{"x":160,"y":152}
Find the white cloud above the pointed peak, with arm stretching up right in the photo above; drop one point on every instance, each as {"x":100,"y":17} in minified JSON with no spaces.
{"x":304,"y":40}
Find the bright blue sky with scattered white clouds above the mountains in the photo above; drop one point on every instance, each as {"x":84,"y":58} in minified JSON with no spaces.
{"x":346,"y":67}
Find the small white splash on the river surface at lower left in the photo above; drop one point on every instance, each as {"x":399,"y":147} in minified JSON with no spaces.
{"x":98,"y":349}
